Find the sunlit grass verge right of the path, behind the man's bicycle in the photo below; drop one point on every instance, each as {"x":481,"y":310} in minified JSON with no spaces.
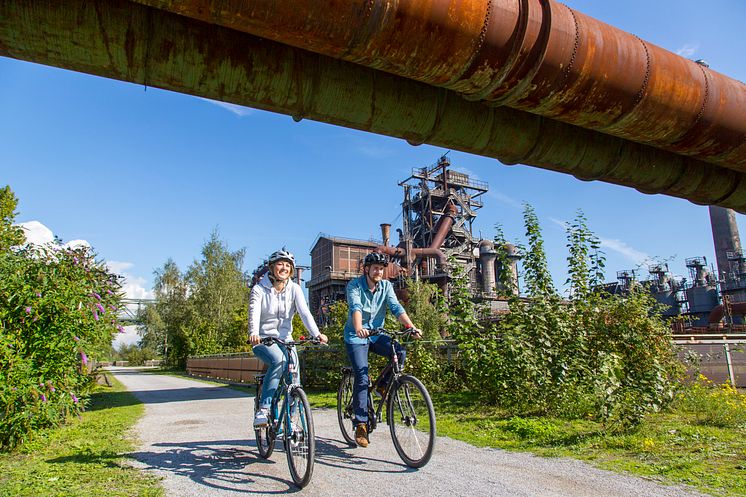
{"x":672,"y":448}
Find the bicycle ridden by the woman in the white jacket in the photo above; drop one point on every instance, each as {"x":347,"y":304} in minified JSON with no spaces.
{"x":290,"y":419}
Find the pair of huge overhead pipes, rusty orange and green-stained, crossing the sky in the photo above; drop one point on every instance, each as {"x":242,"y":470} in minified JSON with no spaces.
{"x":424,"y":60}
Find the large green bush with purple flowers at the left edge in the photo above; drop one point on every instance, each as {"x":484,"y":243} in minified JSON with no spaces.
{"x":57,"y":309}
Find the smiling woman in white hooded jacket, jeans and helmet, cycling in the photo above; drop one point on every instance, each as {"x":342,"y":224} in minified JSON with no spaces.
{"x":274,"y":300}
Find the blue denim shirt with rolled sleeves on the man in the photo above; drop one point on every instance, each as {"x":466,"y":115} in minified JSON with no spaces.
{"x":371,"y":304}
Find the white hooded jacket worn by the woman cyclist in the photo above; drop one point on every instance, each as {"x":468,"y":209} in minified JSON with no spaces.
{"x":271,"y":312}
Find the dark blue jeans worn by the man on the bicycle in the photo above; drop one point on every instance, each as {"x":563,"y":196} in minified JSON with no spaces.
{"x":358,"y":354}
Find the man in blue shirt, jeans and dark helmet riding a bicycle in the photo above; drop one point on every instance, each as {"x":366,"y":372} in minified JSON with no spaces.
{"x":368,"y":296}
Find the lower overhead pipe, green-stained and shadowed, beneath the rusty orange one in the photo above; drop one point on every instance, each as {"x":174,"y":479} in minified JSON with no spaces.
{"x":127,"y":41}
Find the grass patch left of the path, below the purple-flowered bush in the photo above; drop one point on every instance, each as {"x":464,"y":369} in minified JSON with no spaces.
{"x":87,"y":457}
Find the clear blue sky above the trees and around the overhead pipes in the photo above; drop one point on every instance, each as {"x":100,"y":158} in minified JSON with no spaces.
{"x":147,"y":175}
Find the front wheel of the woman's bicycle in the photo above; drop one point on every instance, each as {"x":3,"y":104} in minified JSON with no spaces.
{"x":300,"y":443}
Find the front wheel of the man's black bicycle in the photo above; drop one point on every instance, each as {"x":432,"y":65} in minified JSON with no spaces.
{"x":411,"y":419}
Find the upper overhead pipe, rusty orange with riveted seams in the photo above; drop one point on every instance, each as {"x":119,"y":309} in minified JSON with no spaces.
{"x":535,"y":55}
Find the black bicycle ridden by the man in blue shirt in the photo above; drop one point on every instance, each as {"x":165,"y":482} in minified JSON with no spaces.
{"x":409,"y":409}
